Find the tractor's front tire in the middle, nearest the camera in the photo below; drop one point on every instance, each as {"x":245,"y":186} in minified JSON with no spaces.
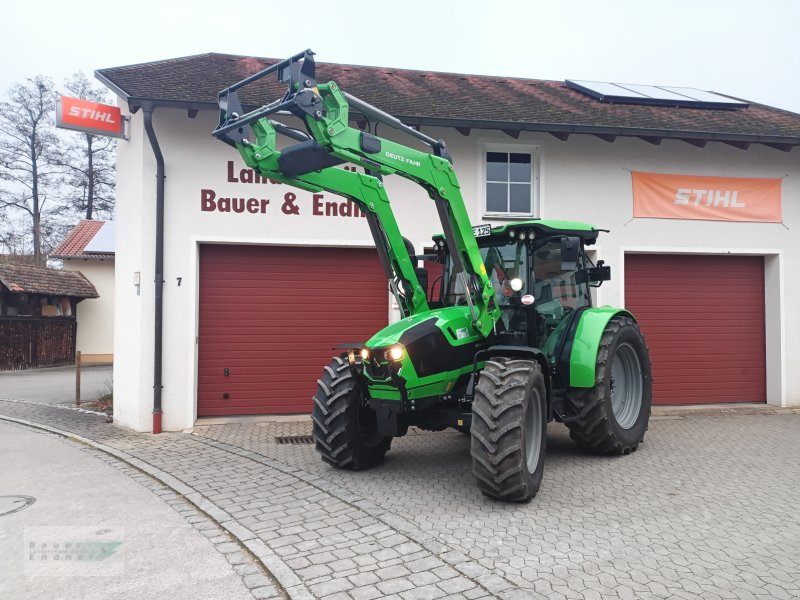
{"x":508,"y":456}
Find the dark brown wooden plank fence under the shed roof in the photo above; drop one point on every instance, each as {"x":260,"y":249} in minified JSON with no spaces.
{"x":31,"y":342}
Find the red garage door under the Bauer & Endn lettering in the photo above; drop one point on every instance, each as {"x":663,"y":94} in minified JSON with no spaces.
{"x":269,"y":318}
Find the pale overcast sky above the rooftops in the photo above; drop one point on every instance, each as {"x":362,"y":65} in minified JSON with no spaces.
{"x":749,"y":49}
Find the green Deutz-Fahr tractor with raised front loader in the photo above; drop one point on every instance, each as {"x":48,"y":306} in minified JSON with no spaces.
{"x":502,"y":341}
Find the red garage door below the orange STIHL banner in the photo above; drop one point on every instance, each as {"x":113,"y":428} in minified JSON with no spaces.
{"x":703,"y":319}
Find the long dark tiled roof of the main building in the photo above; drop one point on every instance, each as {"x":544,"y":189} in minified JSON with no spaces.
{"x":458,"y":100}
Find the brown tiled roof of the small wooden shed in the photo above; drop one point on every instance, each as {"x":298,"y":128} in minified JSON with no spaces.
{"x":21,"y":279}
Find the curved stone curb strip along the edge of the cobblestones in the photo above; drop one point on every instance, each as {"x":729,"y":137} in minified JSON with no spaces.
{"x":287,"y":581}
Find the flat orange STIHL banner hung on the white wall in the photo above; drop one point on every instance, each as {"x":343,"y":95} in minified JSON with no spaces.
{"x":661,"y":196}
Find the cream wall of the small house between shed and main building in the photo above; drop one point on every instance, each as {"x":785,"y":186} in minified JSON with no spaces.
{"x":95,"y":316}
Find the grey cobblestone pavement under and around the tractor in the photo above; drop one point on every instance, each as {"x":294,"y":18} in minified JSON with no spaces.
{"x":707,"y":508}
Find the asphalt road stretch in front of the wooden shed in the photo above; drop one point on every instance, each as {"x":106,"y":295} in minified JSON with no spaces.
{"x":56,"y":385}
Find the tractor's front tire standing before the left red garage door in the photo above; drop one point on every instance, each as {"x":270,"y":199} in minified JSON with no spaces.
{"x":344,"y":430}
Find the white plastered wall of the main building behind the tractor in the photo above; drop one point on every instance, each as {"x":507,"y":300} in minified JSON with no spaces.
{"x":584,"y":178}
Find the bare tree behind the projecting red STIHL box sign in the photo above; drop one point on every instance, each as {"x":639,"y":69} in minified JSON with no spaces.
{"x":89,"y":160}
